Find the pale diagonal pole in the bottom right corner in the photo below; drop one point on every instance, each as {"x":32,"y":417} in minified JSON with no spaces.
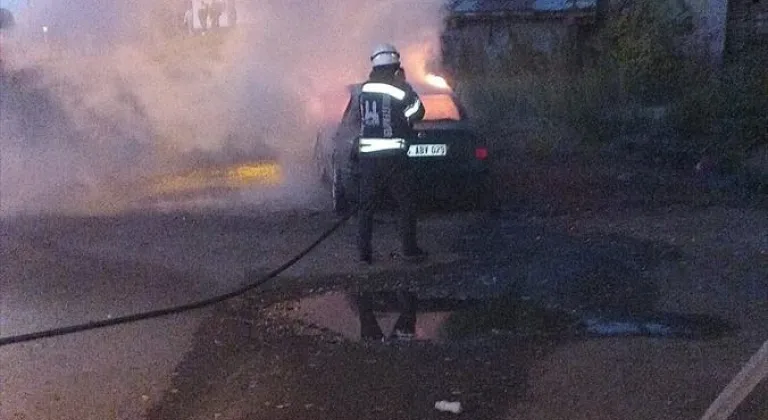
{"x":740,"y":387}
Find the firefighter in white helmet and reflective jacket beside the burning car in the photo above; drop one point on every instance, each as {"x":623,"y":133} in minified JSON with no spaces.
{"x":388,"y":109}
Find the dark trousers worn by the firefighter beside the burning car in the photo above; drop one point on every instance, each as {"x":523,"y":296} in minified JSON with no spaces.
{"x":379,"y":176}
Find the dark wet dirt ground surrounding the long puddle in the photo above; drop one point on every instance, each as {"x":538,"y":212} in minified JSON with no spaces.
{"x":592,"y":243}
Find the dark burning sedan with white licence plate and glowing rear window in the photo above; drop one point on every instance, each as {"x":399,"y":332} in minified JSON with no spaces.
{"x":451,"y":161}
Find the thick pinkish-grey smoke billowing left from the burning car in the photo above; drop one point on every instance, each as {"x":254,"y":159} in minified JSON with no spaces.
{"x":110,"y":94}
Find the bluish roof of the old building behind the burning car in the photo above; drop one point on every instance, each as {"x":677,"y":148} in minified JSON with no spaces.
{"x":493,"y":6}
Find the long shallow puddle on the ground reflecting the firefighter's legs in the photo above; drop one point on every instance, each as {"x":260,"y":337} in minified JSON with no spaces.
{"x":402,"y":315}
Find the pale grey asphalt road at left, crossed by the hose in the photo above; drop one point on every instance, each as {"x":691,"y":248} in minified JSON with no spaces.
{"x":59,"y":271}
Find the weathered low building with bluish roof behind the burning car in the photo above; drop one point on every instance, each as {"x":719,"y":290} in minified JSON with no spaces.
{"x":481,"y":36}
